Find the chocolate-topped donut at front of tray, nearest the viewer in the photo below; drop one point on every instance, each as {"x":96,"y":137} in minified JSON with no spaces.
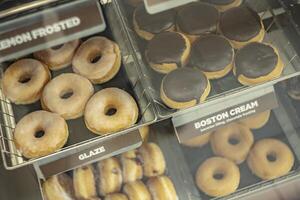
{"x":184,"y":88}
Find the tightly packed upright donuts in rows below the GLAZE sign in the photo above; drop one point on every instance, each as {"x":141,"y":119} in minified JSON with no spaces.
{"x":134,"y":175}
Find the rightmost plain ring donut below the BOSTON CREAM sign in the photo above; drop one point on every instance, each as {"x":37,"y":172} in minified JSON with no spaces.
{"x":270,"y":159}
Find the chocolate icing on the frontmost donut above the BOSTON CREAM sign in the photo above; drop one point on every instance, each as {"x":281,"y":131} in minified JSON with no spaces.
{"x":184,"y":84}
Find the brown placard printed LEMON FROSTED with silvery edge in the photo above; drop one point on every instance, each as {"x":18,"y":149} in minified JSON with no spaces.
{"x":49,"y":27}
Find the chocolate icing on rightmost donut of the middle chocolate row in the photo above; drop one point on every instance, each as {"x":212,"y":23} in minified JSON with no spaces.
{"x":255,"y":60}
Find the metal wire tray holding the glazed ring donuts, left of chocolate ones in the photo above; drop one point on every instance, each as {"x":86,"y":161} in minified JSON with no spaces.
{"x":80,"y":137}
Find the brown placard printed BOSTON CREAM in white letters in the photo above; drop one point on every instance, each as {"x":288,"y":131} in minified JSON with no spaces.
{"x":226,"y":116}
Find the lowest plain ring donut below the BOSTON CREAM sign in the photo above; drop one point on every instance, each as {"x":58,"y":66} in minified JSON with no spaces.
{"x":218,"y":177}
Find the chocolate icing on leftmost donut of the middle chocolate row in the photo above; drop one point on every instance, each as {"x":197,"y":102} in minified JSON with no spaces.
{"x":166,"y":47}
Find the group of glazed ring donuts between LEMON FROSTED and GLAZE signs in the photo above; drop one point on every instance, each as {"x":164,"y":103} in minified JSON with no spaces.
{"x":69,"y":95}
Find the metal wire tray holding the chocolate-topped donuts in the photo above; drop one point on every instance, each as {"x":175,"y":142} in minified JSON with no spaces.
{"x":280,"y":33}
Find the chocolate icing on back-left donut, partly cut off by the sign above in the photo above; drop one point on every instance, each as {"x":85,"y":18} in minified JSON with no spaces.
{"x":154,"y":23}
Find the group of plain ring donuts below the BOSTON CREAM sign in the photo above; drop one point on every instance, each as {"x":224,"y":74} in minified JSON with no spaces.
{"x":233,"y":144}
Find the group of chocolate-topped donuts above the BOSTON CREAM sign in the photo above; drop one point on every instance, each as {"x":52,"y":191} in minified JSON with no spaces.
{"x":203,"y":41}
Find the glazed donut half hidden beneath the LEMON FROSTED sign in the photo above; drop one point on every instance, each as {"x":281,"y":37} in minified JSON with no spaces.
{"x":58,"y":57}
